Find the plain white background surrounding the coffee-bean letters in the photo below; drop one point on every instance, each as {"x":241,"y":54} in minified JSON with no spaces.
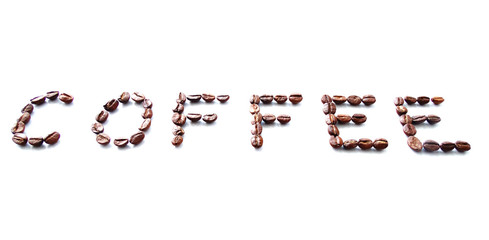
{"x":216,"y":186}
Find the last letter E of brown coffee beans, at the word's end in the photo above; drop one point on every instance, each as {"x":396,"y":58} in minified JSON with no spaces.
{"x":409,"y":129}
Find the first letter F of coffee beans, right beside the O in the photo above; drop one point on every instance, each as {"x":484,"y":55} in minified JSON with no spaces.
{"x":179,"y":118}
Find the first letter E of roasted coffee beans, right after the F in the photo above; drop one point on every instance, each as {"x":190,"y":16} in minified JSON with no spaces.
{"x":329,"y":109}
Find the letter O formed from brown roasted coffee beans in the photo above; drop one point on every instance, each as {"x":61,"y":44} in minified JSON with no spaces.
{"x":98,"y":127}
